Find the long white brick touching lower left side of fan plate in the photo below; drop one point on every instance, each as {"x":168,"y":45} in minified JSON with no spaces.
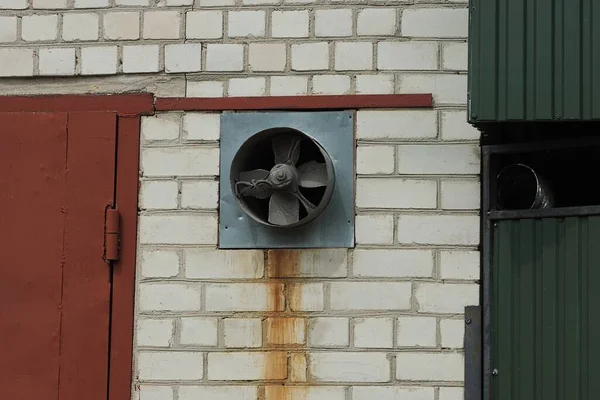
{"x":178,"y":229}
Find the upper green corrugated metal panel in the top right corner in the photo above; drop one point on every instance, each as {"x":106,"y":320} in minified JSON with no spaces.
{"x":534,"y":60}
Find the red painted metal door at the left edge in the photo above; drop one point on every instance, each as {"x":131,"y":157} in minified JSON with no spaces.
{"x":57,"y":177}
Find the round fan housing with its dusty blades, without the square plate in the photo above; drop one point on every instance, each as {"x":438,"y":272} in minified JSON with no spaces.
{"x":282,"y":178}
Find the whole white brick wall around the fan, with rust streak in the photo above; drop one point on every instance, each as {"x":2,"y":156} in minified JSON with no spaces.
{"x":382,"y":321}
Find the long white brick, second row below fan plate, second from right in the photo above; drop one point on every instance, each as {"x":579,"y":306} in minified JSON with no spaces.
{"x":370,"y":295}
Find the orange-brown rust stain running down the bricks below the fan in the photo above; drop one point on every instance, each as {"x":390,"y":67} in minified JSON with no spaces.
{"x":285,"y":329}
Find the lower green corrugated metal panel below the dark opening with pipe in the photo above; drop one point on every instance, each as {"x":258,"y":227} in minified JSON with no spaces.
{"x":546,"y":299}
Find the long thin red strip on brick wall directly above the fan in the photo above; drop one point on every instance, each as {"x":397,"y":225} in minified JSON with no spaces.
{"x":295,"y":102}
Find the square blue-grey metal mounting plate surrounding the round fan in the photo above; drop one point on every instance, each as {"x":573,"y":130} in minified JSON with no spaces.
{"x":334,"y":130}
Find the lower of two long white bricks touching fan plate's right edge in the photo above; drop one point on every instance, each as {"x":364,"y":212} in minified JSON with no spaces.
{"x":400,"y":193}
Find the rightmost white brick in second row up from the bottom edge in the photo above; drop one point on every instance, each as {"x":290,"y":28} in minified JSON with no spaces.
{"x":430,"y":366}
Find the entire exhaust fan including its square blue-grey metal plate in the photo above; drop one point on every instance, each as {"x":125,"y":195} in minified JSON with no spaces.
{"x":287,"y":180}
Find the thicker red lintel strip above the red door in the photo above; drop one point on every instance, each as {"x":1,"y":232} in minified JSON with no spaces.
{"x":124,"y":104}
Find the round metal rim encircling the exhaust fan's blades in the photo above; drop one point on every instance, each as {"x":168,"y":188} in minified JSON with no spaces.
{"x":240,"y":159}
